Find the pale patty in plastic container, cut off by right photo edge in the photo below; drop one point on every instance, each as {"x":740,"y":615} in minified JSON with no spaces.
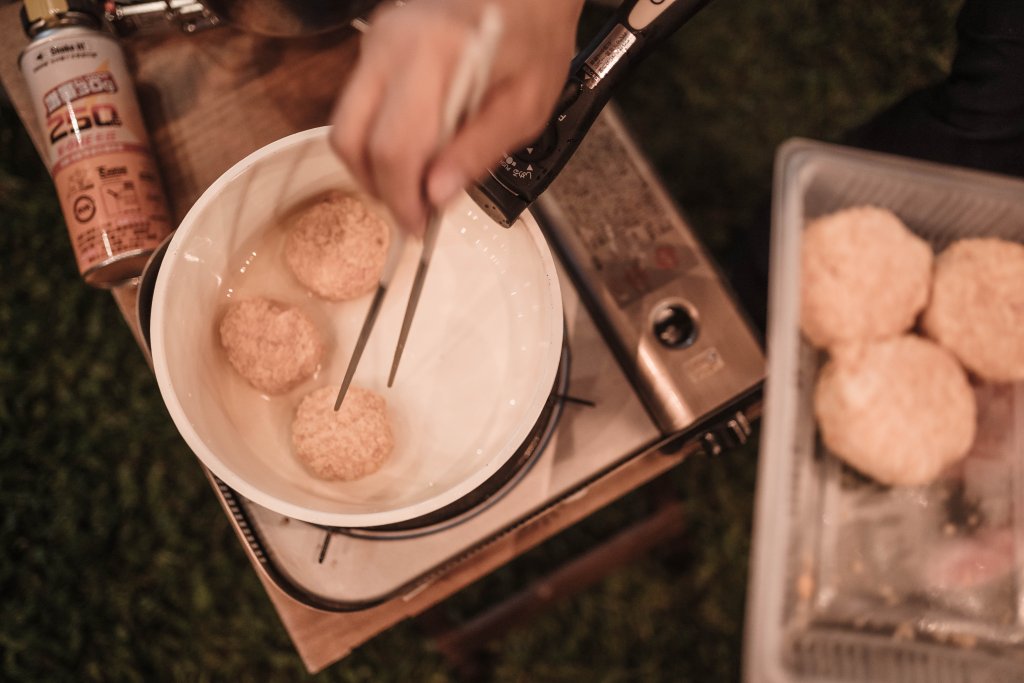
{"x":977,"y":308}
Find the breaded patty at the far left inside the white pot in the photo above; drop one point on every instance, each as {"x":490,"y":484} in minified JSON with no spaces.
{"x":274,"y":347}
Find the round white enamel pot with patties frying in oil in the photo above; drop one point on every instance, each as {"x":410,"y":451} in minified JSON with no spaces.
{"x":477,"y":374}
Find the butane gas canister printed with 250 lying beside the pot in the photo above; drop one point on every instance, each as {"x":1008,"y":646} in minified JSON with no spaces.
{"x":97,"y":147}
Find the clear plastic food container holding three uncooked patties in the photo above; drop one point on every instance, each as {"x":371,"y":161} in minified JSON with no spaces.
{"x":852,"y":581}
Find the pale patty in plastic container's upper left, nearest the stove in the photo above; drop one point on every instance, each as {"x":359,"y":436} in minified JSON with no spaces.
{"x":864,"y":277}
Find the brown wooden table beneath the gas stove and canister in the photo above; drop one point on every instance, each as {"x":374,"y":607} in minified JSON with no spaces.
{"x":209,"y":101}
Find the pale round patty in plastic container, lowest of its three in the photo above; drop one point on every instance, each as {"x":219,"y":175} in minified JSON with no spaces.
{"x":901,"y":410}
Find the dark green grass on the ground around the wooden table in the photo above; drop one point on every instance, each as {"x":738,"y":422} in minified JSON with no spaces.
{"x":118,"y":564}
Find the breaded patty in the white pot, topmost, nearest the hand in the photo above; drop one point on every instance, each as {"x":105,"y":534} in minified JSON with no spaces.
{"x":336,"y":247}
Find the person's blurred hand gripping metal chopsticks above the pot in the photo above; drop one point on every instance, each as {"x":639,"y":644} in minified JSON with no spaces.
{"x":388,"y":120}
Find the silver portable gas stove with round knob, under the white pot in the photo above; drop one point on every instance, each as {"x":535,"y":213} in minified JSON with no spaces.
{"x":662,"y":359}
